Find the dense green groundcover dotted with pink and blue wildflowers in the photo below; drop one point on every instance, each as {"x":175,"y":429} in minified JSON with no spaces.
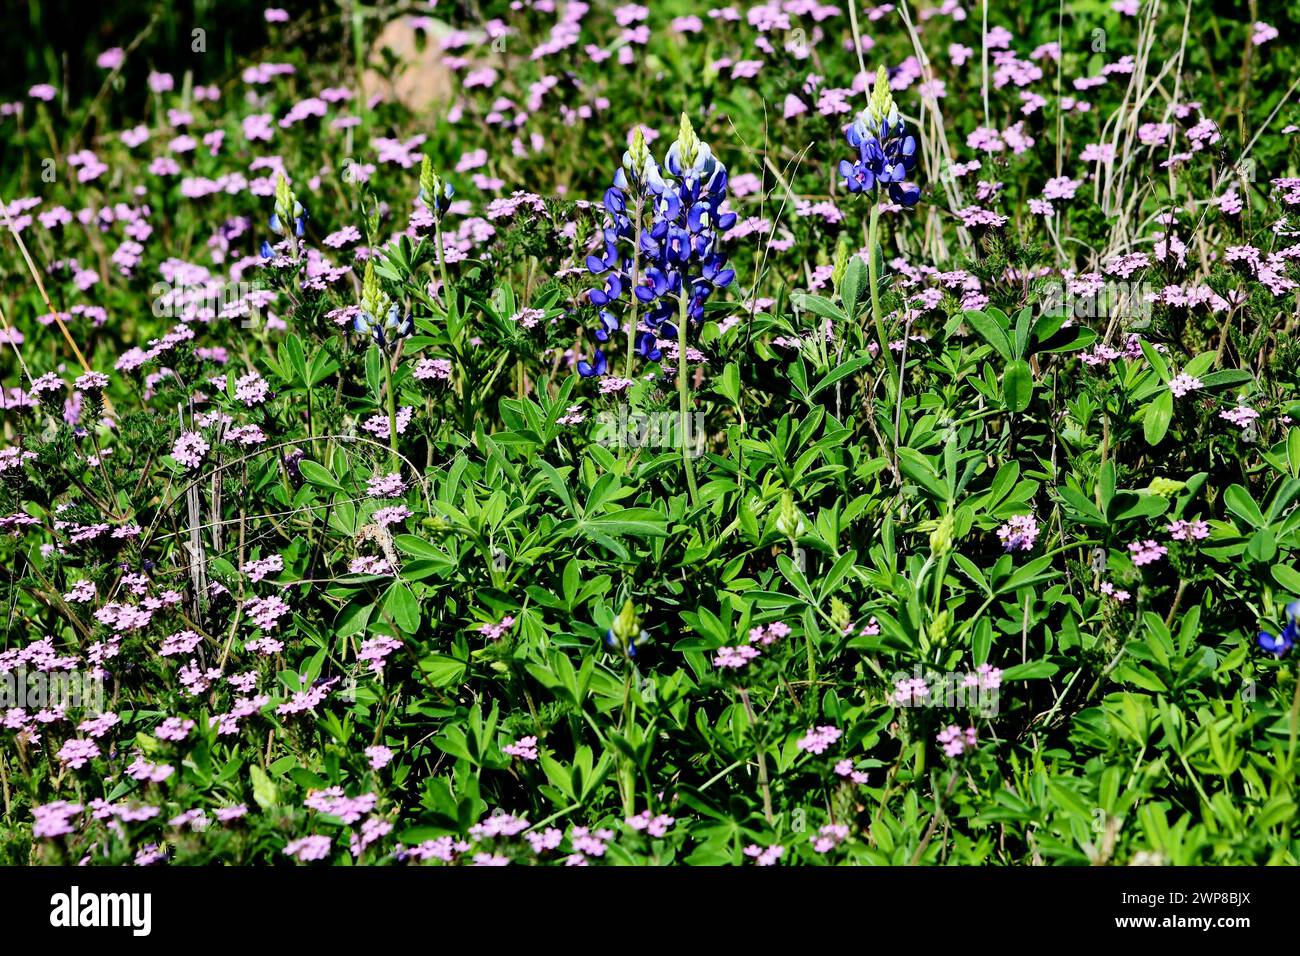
{"x":764,"y":435}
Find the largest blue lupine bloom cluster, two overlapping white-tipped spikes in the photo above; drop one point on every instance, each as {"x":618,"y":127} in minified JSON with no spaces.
{"x":679,"y":249}
